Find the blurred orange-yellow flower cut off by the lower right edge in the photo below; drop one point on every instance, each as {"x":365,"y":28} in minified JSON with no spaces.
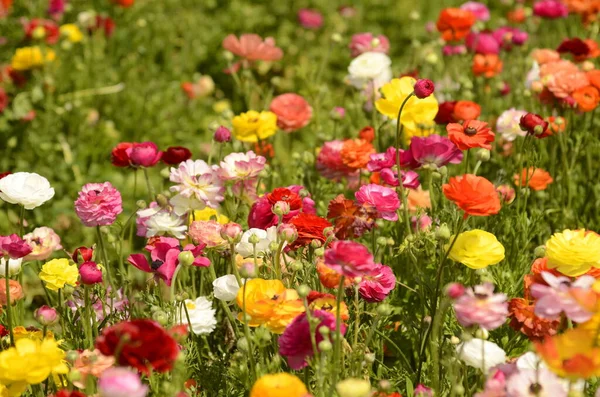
{"x":573,"y":354}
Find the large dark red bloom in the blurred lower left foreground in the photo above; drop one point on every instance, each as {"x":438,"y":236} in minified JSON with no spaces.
{"x":142,"y":344}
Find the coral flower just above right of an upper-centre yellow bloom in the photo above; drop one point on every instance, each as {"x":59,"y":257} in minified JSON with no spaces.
{"x":292,"y":110}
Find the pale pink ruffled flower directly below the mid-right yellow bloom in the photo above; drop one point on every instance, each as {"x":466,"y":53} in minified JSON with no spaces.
{"x":480,"y":306}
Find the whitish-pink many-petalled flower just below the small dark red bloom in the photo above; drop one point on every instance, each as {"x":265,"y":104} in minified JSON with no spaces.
{"x":198,"y":186}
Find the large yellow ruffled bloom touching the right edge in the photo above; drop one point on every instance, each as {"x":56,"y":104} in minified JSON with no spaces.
{"x":573,"y":252}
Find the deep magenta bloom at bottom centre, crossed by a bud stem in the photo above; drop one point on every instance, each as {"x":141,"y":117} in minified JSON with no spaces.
{"x":295,"y":342}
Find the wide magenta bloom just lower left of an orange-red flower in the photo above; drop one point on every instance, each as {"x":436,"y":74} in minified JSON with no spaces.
{"x":434,"y":151}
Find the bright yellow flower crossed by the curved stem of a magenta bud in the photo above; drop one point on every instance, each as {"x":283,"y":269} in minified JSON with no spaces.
{"x":416,"y":111}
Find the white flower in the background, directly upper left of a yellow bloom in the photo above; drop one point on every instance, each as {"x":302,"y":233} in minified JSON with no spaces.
{"x":370,"y":66}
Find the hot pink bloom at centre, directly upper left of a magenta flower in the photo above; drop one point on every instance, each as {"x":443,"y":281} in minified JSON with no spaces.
{"x":350,"y":259}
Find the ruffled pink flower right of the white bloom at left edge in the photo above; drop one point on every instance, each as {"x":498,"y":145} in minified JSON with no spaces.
{"x":98,"y":204}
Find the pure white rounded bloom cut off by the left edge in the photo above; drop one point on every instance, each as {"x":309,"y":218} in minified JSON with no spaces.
{"x":27,"y":189}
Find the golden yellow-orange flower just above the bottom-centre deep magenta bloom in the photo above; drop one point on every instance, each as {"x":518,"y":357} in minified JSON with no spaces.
{"x":269,"y":303}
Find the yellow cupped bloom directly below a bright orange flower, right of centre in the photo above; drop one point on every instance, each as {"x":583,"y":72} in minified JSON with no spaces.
{"x":476,"y":249}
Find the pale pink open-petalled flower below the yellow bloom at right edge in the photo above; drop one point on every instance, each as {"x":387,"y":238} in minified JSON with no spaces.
{"x":557,"y":297}
